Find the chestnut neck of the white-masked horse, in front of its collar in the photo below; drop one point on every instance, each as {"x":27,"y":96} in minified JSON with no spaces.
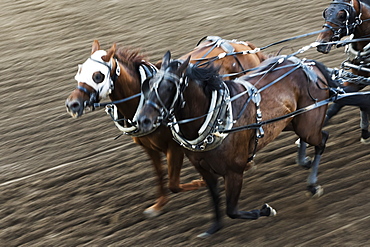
{"x":127,"y":84}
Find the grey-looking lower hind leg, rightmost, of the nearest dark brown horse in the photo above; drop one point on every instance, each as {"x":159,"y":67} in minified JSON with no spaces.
{"x":314,"y":189}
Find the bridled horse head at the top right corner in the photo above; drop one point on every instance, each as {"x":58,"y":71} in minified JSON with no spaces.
{"x":341,"y":19}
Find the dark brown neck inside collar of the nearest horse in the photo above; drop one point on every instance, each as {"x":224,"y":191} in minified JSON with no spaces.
{"x":196,"y":104}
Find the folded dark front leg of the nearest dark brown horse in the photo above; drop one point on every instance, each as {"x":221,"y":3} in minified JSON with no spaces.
{"x":233,"y":185}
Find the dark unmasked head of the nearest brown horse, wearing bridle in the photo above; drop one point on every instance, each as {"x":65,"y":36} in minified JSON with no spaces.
{"x":162,"y":93}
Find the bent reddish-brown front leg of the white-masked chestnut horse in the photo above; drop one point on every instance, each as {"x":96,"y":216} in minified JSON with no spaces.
{"x":175,"y":157}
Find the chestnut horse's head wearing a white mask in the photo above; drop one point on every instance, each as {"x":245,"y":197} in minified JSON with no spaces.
{"x":94,"y":80}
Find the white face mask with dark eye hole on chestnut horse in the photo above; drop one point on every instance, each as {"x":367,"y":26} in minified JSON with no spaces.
{"x":92,"y":65}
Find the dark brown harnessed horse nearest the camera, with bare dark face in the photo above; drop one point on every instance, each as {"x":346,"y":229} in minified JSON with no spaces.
{"x":205,"y":107}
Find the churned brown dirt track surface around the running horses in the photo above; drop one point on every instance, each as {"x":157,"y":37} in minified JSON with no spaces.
{"x":67,"y":182}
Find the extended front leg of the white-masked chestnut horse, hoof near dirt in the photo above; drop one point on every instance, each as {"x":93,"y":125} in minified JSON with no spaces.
{"x":162,"y":200}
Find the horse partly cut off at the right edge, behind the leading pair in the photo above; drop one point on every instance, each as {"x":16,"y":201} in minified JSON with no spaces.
{"x":343,"y":18}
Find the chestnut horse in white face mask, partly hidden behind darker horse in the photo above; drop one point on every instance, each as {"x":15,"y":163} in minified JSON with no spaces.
{"x":119,"y":74}
